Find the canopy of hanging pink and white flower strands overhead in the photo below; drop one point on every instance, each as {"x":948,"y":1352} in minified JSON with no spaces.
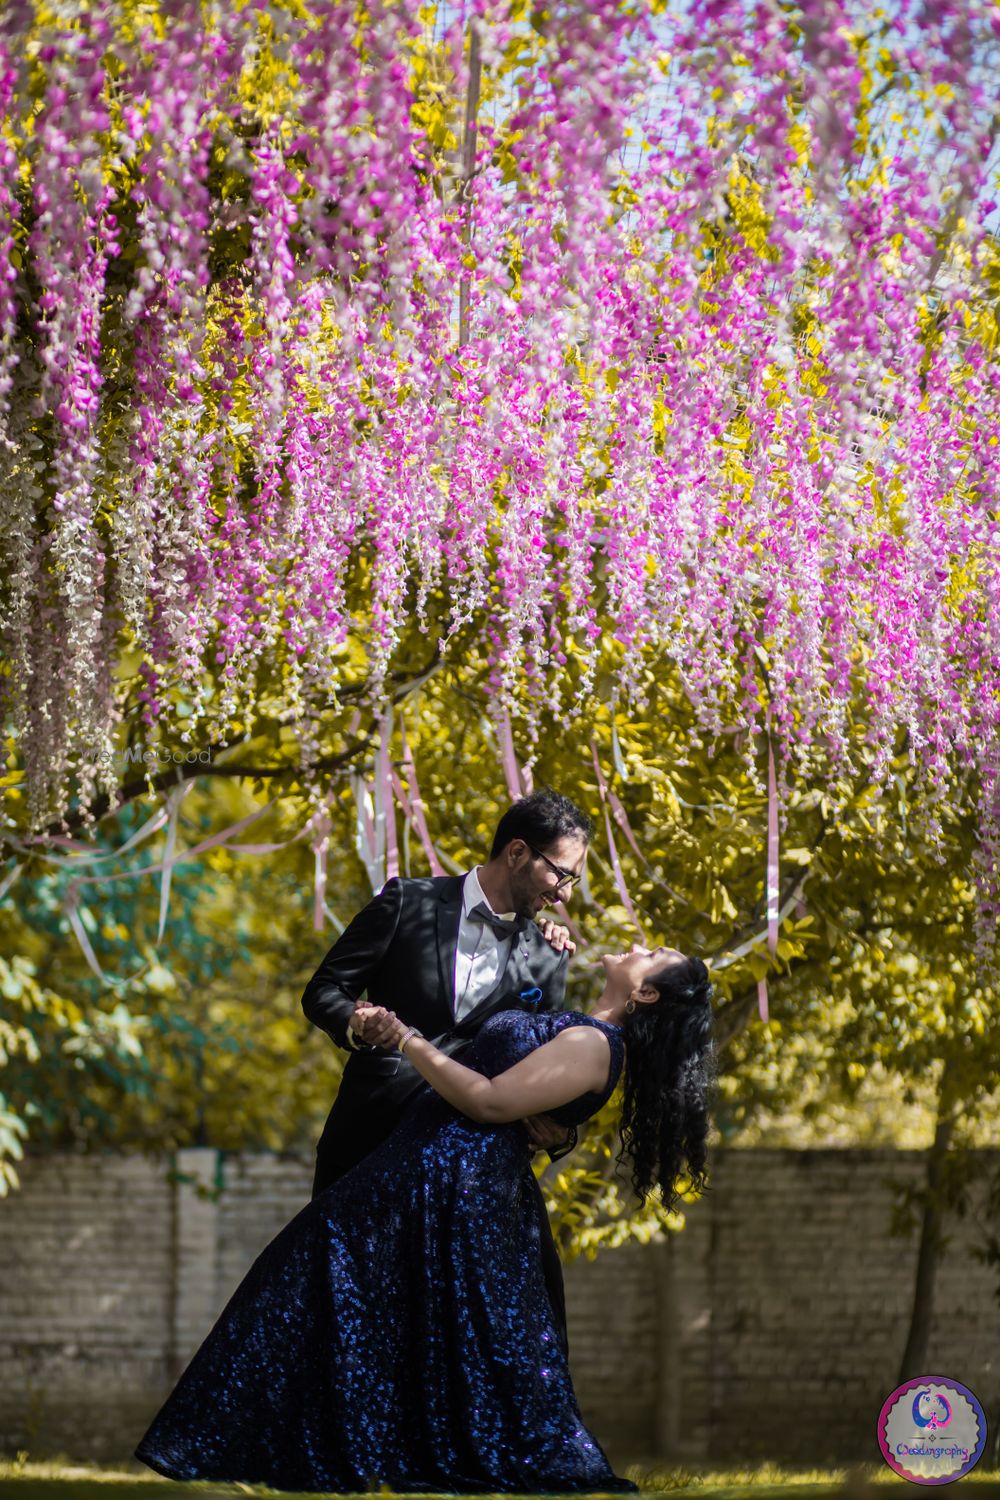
{"x":722,"y":383}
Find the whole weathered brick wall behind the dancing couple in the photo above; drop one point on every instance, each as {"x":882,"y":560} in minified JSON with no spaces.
{"x":773,"y":1327}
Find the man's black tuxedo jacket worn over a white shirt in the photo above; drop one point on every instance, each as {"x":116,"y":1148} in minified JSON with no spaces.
{"x":401,"y":950}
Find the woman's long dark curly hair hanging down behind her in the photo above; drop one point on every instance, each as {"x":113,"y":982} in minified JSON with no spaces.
{"x":669,"y":1079}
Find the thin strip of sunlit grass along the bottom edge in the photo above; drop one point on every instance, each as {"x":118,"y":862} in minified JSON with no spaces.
{"x":67,"y":1481}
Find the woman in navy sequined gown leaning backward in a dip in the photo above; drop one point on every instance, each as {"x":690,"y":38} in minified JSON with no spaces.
{"x":398,"y":1333}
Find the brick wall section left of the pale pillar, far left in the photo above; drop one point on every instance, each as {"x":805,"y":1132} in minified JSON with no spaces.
{"x":86,"y":1301}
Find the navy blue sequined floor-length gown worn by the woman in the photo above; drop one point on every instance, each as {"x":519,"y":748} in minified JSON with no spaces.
{"x":398,"y":1333}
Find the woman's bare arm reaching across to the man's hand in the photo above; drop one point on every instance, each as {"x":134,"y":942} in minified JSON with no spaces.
{"x":573,"y":1063}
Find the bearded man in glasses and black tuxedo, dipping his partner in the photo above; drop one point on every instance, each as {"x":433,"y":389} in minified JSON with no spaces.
{"x":445,"y":955}
